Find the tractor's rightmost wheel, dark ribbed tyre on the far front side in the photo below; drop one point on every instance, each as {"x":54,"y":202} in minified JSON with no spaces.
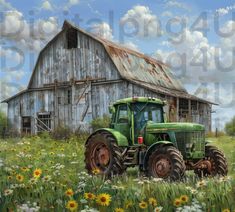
{"x":218,"y":162}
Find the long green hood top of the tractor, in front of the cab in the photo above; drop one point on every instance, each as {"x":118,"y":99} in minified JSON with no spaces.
{"x":180,"y":127}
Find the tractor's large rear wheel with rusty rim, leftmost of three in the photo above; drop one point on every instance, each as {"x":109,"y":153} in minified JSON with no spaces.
{"x":103,"y":155}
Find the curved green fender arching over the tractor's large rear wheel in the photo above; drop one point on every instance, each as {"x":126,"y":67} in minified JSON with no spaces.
{"x":120,"y":138}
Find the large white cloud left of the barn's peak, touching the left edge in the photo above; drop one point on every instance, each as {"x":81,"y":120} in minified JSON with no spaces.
{"x":29,"y":36}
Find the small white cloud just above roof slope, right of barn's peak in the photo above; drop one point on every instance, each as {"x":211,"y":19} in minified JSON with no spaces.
{"x":102,"y":30}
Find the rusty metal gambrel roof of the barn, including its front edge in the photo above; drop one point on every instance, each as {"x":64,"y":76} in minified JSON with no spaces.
{"x":135,"y":67}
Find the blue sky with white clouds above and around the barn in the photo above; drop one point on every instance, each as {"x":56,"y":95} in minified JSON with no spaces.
{"x":196,"y":38}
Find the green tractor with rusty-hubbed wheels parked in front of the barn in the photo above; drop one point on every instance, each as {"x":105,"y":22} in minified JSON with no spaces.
{"x":139,"y":136}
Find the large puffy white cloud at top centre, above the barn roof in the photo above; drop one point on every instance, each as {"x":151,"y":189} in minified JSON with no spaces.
{"x":141,"y":22}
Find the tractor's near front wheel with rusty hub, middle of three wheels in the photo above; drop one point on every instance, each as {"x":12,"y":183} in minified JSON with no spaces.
{"x":166,"y":162}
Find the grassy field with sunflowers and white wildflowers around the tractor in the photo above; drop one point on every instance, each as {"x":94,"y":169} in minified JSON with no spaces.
{"x":41,"y":174}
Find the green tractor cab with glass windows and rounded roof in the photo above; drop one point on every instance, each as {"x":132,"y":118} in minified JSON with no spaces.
{"x":131,"y":115}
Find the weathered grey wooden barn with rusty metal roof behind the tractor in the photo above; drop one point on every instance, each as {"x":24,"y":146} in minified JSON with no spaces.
{"x":77,"y":76}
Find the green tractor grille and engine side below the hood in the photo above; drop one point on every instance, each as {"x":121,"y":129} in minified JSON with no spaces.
{"x":197,"y":138}
